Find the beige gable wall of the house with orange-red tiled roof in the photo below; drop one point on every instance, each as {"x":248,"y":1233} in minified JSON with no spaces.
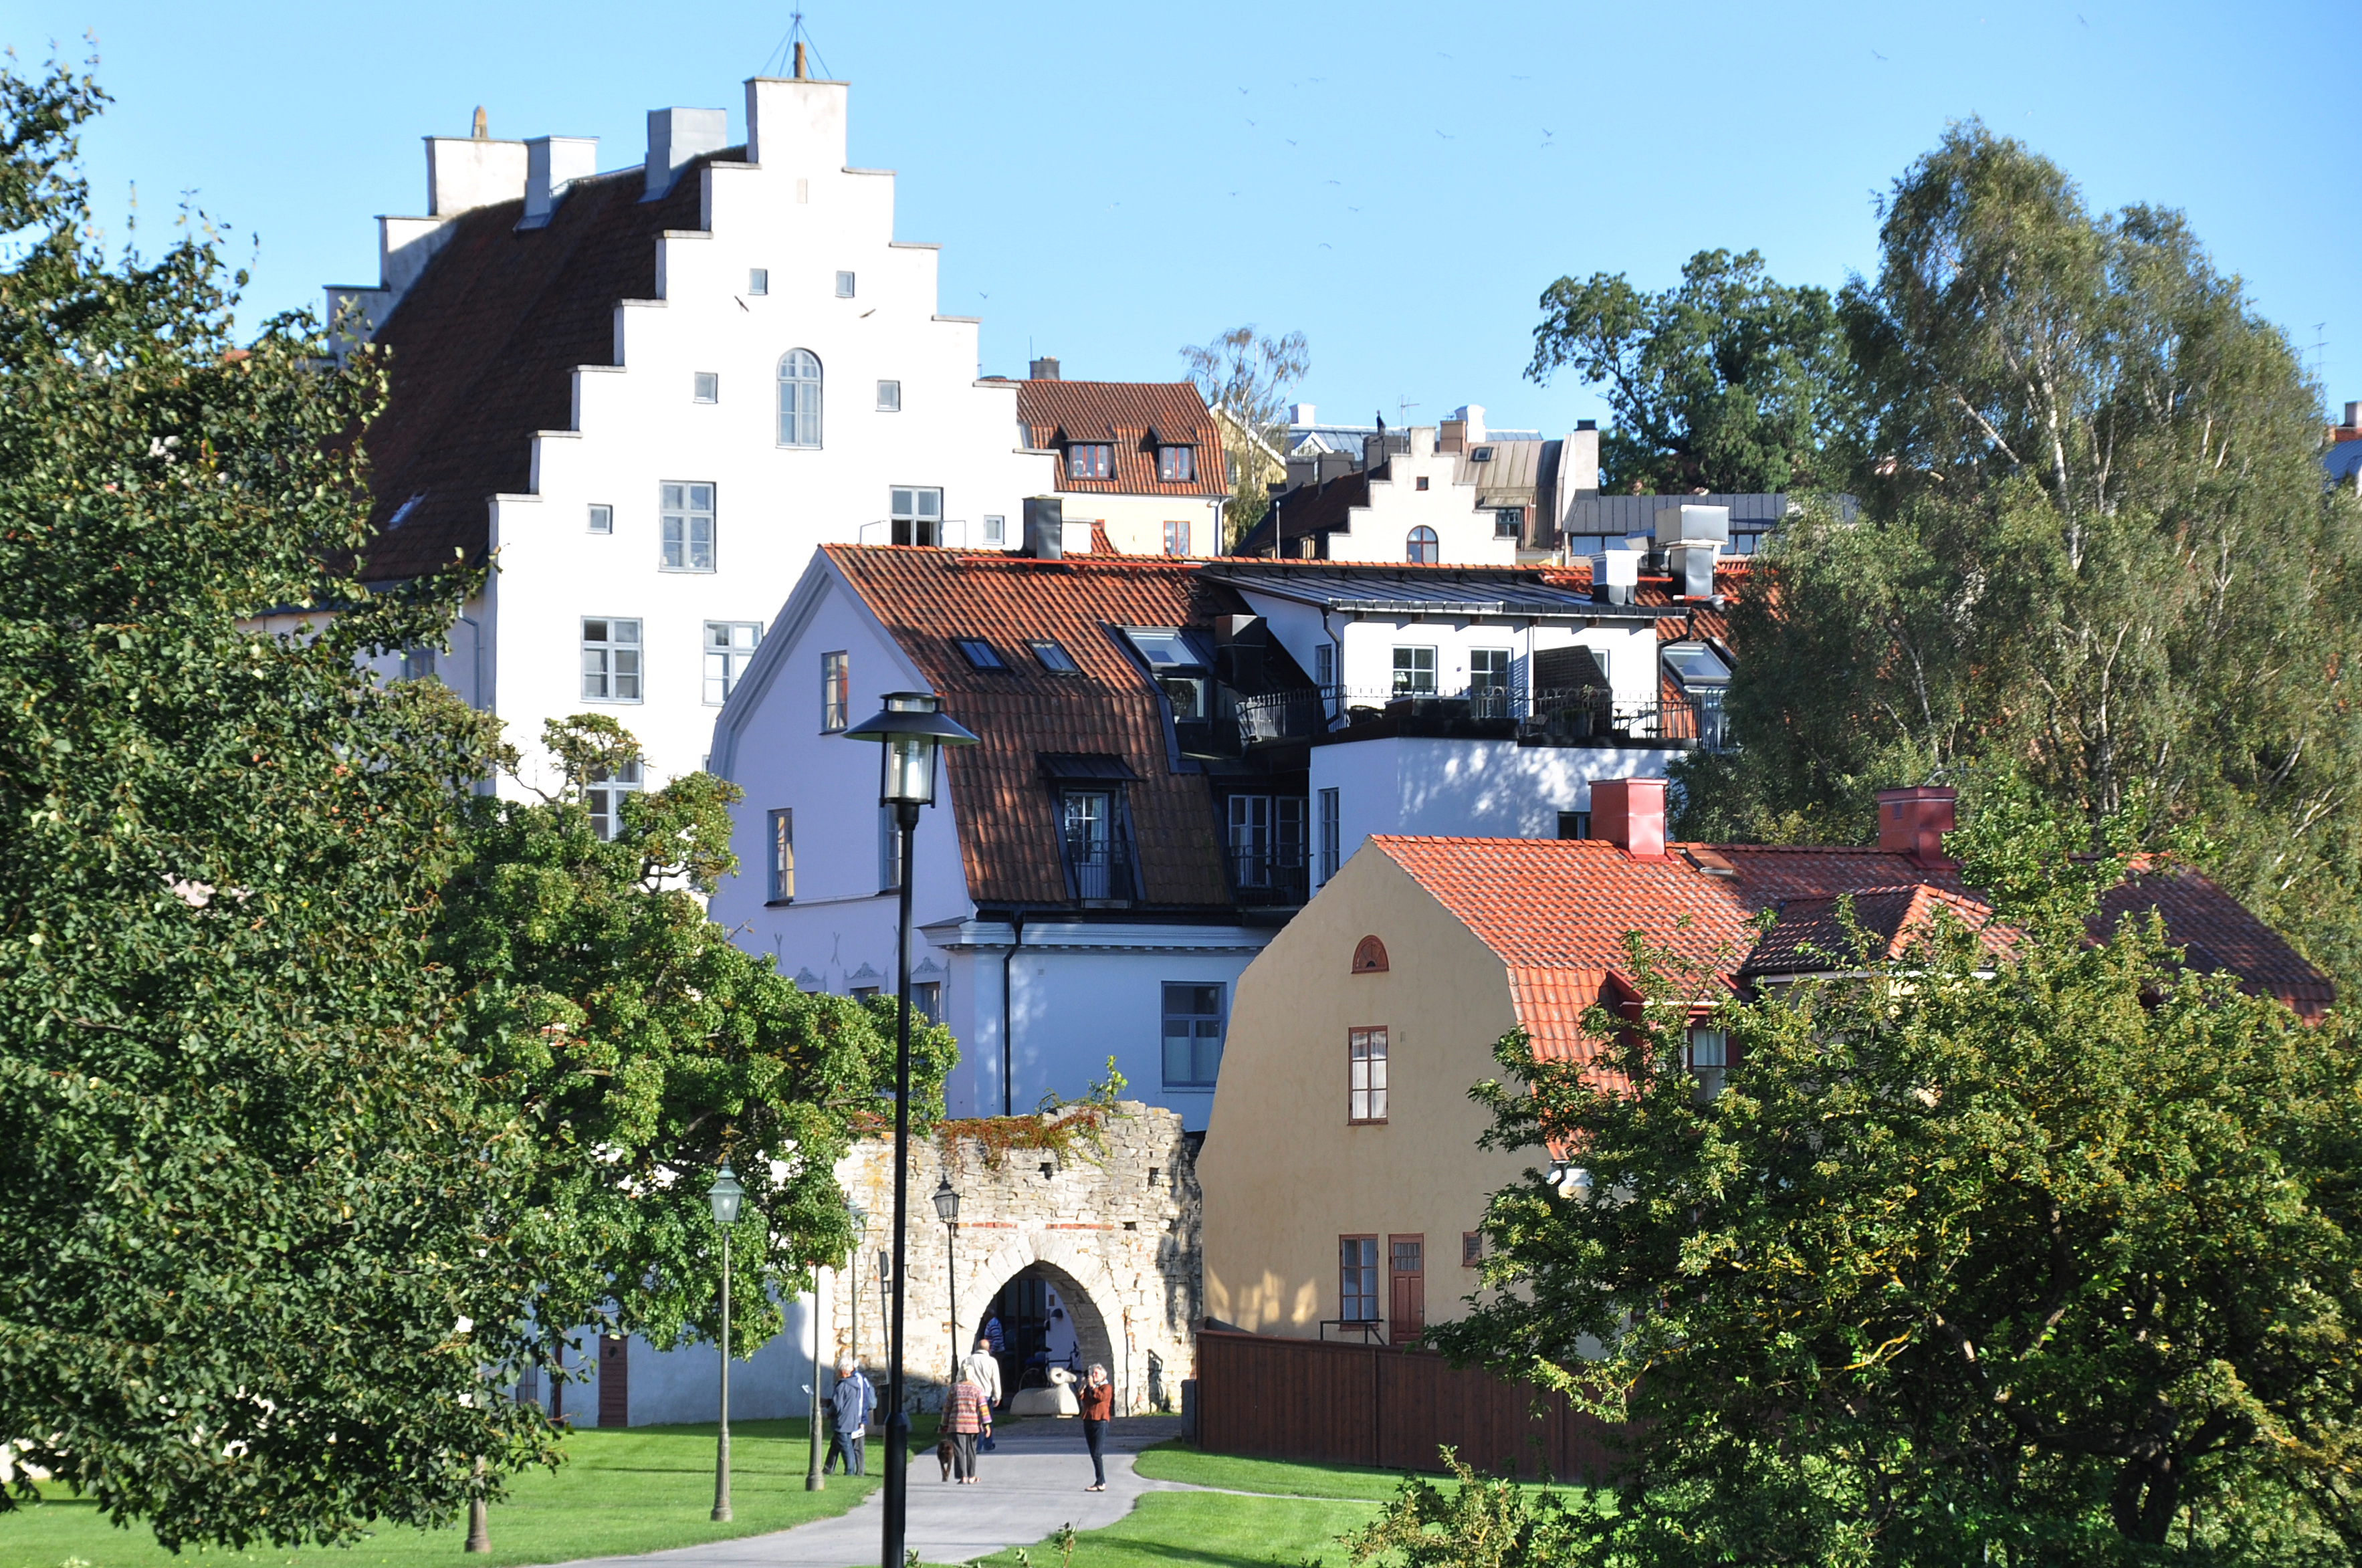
{"x":1284,"y":1172}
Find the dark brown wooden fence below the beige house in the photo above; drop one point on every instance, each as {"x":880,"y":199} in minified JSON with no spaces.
{"x":1345,"y":1404}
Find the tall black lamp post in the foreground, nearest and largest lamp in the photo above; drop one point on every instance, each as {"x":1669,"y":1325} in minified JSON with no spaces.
{"x":911,"y":731}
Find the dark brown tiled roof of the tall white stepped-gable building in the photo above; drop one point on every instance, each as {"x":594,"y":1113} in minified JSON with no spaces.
{"x":483,"y":353}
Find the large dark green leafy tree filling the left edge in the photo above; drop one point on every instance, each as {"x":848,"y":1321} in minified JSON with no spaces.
{"x":254,"y":1279}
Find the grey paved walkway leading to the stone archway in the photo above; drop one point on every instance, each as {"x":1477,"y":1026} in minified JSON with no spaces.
{"x":1029,"y":1489}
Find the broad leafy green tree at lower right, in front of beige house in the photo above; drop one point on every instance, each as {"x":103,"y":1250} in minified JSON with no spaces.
{"x":2016,"y":1250}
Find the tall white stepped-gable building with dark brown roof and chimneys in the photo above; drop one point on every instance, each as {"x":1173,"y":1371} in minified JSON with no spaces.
{"x":648,"y":393}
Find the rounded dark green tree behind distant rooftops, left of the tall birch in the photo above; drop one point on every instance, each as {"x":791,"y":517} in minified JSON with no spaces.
{"x":1725,"y":384}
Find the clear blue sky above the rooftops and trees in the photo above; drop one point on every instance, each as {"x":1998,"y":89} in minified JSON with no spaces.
{"x":1399,"y":183}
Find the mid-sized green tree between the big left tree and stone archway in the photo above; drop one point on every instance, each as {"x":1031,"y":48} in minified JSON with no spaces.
{"x":641,"y":1050}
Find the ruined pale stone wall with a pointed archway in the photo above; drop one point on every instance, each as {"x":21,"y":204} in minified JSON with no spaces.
{"x":1118,"y":1231}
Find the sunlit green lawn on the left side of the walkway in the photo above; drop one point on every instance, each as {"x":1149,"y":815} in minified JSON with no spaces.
{"x":622,"y":1491}
